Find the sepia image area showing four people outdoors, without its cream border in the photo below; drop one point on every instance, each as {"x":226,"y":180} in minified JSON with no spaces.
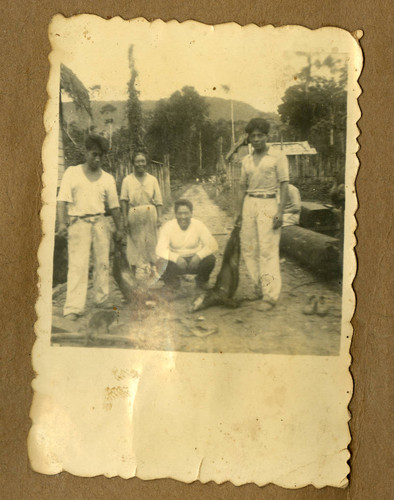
{"x":200,"y":199}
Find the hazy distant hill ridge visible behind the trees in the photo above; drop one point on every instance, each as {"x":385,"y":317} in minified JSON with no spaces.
{"x":219,"y":109}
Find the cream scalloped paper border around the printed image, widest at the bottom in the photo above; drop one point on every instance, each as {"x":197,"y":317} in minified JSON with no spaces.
{"x":116,"y":398}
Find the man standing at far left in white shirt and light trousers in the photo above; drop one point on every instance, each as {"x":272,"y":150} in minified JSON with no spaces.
{"x":84,"y":191}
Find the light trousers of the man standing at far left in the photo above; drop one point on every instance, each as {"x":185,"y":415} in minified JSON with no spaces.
{"x":82,"y":235}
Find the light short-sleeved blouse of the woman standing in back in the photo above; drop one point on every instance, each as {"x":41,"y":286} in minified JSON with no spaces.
{"x":141,"y":192}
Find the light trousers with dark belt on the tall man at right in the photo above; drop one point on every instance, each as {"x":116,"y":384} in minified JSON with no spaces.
{"x":260,"y":245}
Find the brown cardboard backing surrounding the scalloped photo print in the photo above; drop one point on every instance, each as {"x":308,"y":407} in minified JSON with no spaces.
{"x":24,"y":48}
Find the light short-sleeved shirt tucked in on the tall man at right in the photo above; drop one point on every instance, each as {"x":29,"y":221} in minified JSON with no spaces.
{"x":266,"y":177}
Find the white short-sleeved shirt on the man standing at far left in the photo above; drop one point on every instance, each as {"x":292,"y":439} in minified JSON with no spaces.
{"x":85,"y":196}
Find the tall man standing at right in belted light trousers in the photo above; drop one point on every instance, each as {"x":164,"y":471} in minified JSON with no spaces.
{"x":264,"y":173}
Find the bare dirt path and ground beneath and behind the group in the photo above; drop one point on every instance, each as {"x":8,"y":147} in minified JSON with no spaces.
{"x":284,"y":330}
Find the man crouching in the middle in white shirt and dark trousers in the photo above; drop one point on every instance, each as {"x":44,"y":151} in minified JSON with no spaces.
{"x":185,"y":246}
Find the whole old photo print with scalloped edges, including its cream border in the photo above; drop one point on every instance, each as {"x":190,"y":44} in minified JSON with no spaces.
{"x":197,"y":255}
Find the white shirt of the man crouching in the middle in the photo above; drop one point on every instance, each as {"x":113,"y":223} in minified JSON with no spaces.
{"x":174,"y":242}
